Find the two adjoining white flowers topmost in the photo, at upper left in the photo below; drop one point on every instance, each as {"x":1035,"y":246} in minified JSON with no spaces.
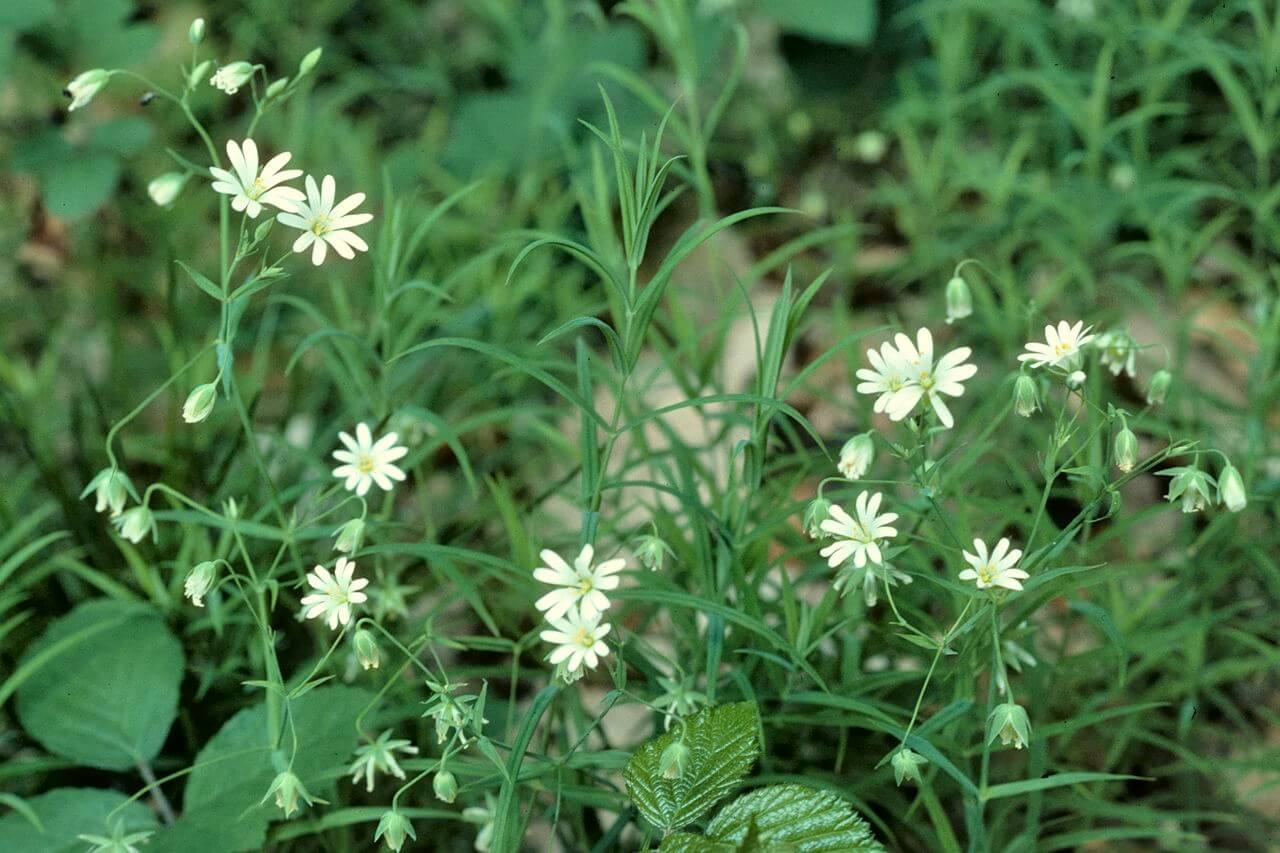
{"x":323,"y":221}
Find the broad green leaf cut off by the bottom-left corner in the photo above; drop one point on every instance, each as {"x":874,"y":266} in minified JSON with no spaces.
{"x":67,"y":813}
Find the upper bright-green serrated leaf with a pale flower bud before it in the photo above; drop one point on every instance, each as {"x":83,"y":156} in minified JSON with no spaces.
{"x":723,"y":743}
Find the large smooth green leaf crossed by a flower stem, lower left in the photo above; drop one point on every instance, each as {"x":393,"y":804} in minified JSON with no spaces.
{"x":222,"y":806}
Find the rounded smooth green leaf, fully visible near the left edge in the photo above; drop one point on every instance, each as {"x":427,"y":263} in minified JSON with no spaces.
{"x":106,"y":686}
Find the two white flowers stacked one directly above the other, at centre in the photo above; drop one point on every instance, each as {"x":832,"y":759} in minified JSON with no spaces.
{"x":575,"y":609}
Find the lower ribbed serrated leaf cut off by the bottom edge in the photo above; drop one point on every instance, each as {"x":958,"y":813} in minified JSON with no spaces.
{"x":781,"y":818}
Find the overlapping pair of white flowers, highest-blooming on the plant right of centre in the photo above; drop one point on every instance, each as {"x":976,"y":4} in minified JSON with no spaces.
{"x":904,"y":373}
